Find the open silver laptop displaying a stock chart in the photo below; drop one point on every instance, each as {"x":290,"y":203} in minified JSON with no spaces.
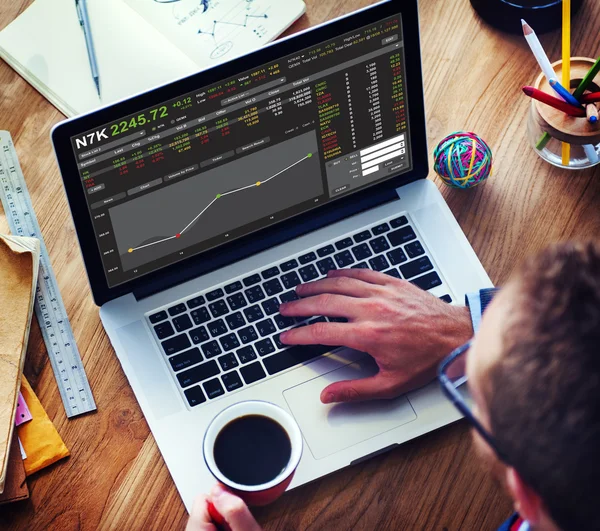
{"x":201,"y":205}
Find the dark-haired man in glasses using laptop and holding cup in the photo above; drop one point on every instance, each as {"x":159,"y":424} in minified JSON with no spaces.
{"x":533,"y":372}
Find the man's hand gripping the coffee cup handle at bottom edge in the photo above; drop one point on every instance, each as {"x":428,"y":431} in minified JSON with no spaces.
{"x":232,"y":509}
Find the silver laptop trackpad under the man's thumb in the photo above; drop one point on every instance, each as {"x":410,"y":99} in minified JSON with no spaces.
{"x":329,"y":428}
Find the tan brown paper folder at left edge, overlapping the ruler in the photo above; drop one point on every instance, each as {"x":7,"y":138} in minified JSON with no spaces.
{"x":19,"y":266}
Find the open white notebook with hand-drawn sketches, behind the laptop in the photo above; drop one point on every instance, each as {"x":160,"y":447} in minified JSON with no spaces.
{"x":139,"y":44}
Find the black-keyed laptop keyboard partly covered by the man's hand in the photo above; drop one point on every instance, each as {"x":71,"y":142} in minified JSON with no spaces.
{"x":228,"y":337}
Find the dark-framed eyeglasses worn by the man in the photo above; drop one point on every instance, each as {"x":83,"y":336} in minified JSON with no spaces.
{"x":453,"y":379}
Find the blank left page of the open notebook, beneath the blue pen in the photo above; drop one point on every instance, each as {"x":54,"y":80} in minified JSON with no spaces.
{"x":46,"y":46}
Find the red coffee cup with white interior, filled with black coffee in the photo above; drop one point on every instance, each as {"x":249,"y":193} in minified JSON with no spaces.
{"x":269,"y":491}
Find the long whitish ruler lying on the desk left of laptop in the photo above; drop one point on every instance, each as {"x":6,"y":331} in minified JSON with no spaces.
{"x":49,"y":307}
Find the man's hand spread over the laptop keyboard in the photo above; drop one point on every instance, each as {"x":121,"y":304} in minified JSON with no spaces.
{"x":407,"y":331}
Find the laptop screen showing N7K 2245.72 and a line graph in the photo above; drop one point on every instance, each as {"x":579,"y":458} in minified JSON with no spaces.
{"x":228,"y":159}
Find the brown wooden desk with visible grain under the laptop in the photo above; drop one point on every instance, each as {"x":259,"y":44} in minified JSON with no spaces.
{"x":116,"y":477}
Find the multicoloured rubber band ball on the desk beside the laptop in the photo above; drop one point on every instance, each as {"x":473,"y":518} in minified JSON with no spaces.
{"x":463,"y":160}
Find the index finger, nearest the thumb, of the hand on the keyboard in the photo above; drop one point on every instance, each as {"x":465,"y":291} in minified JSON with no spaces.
{"x":331,"y":334}
